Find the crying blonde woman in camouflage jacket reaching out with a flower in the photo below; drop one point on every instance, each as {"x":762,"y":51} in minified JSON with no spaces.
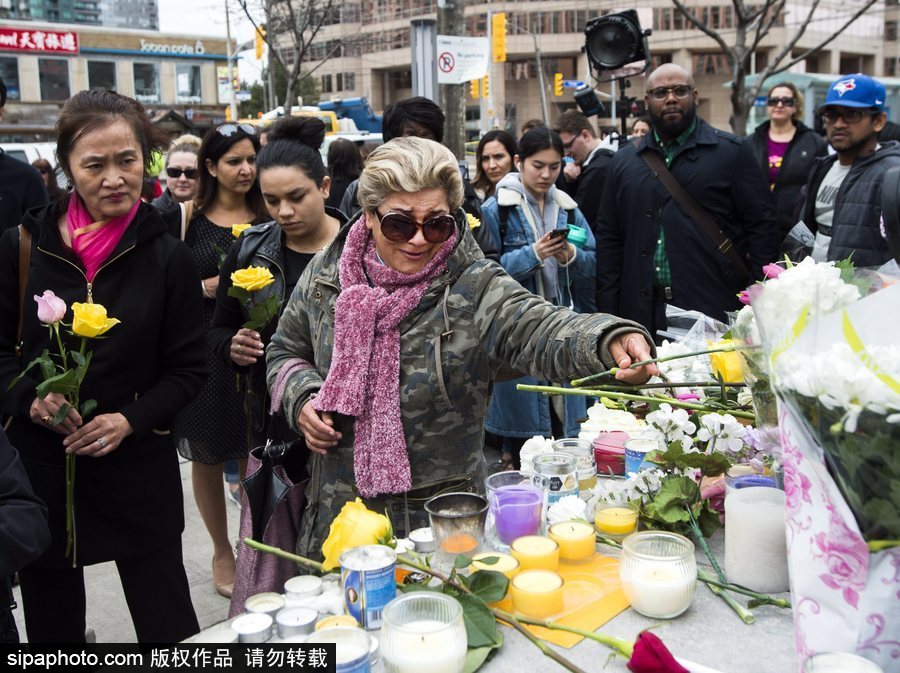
{"x":385,"y":354}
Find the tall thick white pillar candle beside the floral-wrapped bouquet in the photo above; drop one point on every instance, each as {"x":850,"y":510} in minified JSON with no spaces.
{"x":755,"y":539}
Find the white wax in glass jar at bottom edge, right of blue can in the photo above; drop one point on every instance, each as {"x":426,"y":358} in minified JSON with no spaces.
{"x":423,"y":645}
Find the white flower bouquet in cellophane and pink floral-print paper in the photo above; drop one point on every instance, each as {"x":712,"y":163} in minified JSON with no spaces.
{"x":830,"y":334}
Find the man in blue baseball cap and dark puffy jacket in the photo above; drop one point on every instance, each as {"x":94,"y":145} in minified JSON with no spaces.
{"x":843,"y":195}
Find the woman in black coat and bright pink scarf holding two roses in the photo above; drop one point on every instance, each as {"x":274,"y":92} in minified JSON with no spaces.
{"x":128,"y":504}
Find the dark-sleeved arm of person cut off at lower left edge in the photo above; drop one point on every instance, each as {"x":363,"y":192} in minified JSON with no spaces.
{"x":24,"y":534}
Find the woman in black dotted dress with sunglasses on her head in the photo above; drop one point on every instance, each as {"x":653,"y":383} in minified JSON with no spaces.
{"x":213,"y":429}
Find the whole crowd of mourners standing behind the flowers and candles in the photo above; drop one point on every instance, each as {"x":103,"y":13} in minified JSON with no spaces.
{"x":408,"y":303}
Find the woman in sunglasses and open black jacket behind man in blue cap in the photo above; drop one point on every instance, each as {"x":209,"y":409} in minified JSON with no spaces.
{"x":786,"y":149}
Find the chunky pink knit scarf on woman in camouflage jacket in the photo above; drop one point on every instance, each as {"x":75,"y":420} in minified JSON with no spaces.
{"x":364,"y":379}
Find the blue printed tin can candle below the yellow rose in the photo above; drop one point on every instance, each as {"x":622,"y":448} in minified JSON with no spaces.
{"x":367,"y":578}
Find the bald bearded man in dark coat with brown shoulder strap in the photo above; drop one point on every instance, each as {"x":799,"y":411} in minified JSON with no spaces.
{"x":650,"y":251}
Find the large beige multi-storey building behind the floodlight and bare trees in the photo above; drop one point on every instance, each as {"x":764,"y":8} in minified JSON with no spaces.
{"x":365,"y":51}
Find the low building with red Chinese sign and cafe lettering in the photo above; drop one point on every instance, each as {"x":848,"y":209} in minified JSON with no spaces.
{"x":44,"y":64}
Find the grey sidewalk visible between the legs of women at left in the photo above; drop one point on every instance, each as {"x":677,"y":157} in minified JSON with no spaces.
{"x":107,"y":613}
